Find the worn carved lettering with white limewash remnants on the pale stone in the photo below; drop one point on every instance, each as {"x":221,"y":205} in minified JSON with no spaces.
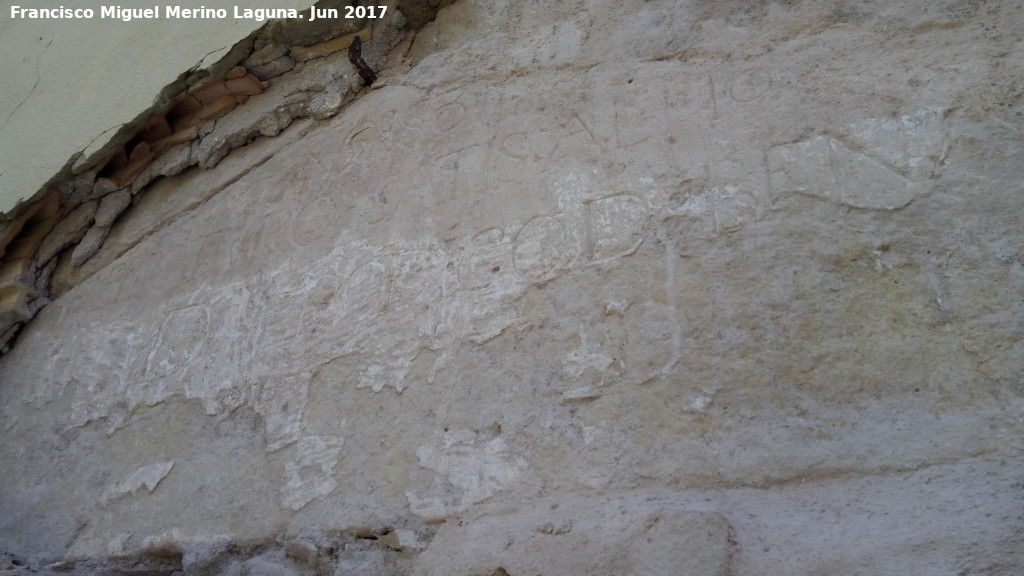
{"x":391,"y":269}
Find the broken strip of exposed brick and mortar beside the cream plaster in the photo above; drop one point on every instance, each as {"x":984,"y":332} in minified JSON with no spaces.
{"x":285,"y":71}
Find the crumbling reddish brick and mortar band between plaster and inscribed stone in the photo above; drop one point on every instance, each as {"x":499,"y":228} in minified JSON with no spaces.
{"x":197,"y":128}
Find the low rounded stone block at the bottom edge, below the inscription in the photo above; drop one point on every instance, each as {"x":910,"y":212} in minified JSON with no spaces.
{"x":579,"y":536}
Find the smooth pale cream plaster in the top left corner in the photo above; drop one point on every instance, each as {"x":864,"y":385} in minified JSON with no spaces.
{"x":41,"y":129}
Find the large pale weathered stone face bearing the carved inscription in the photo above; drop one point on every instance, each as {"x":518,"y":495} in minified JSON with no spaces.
{"x":595,"y":287}
